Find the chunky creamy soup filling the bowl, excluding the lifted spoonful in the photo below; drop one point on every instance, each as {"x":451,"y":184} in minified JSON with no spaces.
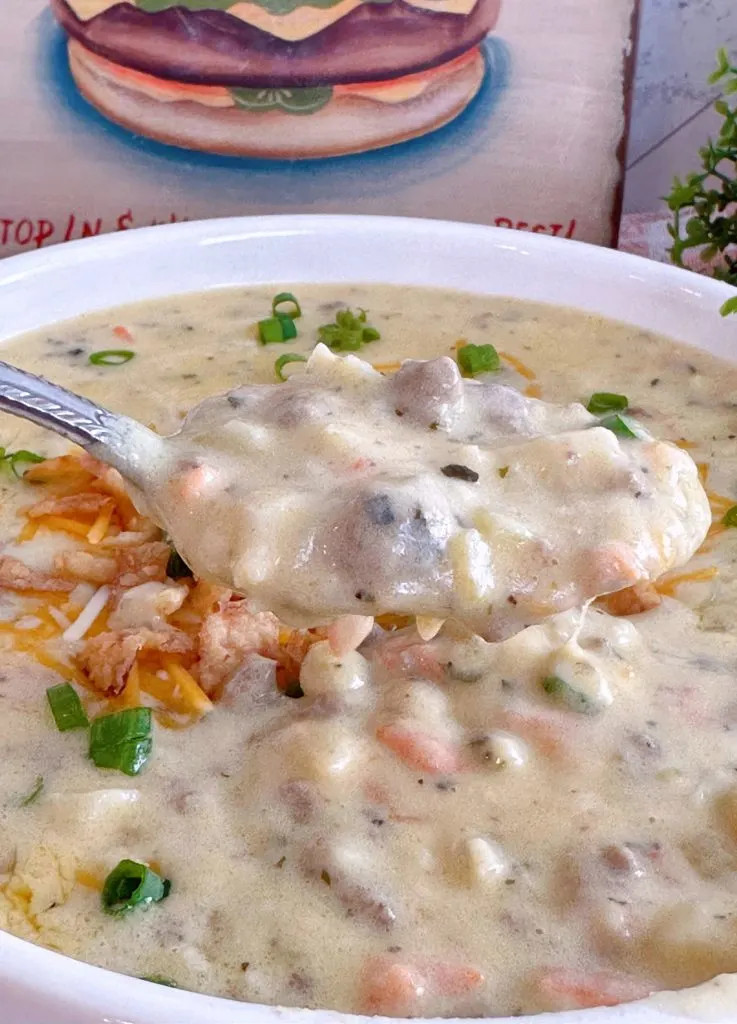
{"x":412,"y":821}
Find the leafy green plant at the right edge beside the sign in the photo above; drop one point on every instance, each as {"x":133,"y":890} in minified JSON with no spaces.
{"x":705,"y":206}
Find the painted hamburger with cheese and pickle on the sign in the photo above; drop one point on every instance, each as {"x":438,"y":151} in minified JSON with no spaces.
{"x":279,"y":79}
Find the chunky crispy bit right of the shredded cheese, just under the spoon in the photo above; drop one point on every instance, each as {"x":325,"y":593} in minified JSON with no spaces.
{"x":228,"y":636}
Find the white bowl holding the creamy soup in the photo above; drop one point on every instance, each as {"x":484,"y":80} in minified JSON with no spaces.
{"x":38,"y":289}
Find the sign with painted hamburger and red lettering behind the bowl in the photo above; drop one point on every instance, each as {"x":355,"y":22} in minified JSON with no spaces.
{"x":125,"y":113}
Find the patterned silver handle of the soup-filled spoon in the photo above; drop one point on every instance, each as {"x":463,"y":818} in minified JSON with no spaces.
{"x":114,"y":439}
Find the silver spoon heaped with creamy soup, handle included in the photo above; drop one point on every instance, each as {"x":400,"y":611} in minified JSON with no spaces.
{"x":344,"y":492}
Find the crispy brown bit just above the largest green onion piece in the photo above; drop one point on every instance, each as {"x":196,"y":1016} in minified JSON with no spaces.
{"x":109,"y":658}
